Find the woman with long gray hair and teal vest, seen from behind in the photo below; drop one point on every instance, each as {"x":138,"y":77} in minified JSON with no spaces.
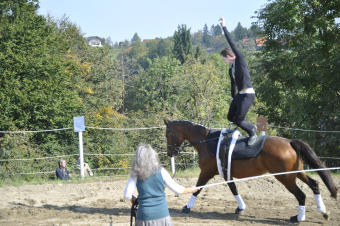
{"x":150,"y":179}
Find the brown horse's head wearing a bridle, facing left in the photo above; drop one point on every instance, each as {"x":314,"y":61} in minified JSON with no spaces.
{"x":174,"y":138}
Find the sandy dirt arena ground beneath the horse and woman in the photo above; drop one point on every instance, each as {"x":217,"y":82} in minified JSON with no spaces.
{"x":102,"y":203}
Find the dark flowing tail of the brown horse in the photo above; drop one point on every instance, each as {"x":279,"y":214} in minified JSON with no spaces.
{"x":309,"y":157}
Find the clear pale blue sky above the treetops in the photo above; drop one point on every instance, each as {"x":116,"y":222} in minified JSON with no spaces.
{"x":121,"y":19}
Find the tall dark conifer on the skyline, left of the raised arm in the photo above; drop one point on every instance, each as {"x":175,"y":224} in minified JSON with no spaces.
{"x":182,"y":43}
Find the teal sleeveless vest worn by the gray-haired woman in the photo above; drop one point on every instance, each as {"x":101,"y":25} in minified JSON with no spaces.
{"x":151,"y":198}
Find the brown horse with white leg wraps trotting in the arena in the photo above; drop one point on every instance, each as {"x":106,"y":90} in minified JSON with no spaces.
{"x":277,"y":155}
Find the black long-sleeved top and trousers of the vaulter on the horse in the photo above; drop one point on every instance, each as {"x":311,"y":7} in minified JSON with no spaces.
{"x":240,"y":79}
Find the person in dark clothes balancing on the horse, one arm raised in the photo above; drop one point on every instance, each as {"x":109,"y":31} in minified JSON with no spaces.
{"x":240,"y":80}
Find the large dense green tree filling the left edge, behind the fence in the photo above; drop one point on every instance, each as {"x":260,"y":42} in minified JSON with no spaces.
{"x":37,"y":85}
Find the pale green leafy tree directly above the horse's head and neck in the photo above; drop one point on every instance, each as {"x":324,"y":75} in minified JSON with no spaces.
{"x":203,"y":91}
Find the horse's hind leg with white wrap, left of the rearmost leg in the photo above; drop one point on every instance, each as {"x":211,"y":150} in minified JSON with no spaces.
{"x":289,"y":181}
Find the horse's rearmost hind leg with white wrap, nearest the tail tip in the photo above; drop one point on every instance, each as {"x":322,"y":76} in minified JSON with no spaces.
{"x":314,"y":185}
